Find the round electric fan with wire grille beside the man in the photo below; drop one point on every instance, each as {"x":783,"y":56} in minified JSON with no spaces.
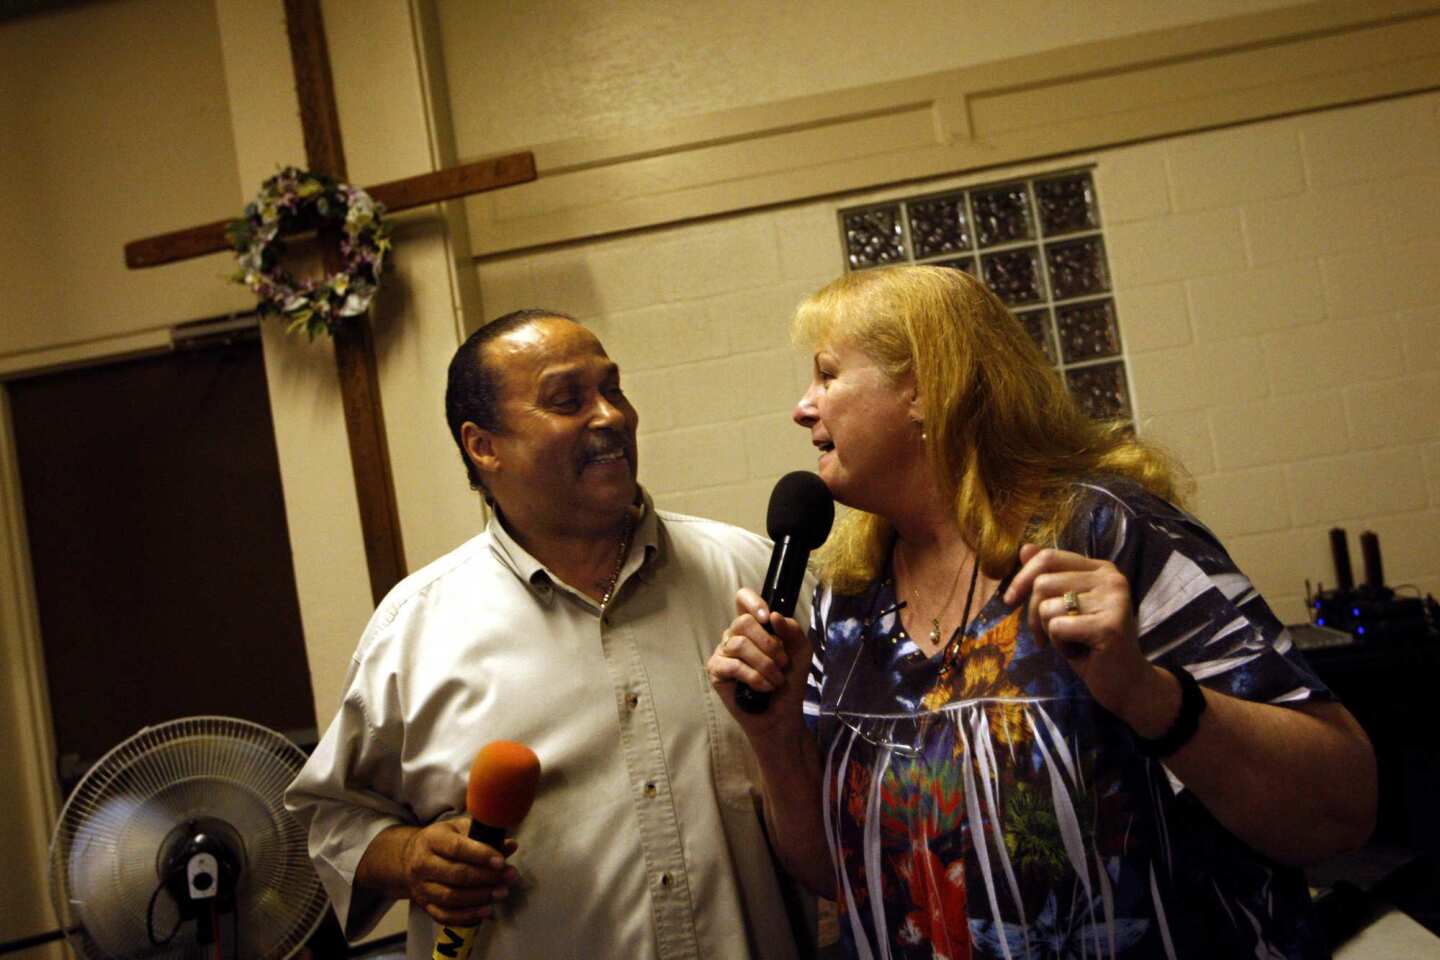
{"x":178,"y":846}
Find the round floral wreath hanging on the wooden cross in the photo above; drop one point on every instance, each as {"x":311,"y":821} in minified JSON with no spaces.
{"x":293,"y":202}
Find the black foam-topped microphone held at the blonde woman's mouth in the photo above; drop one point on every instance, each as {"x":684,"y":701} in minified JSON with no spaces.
{"x":798,"y":522}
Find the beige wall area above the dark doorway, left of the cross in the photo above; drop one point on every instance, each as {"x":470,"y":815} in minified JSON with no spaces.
{"x":112,"y":130}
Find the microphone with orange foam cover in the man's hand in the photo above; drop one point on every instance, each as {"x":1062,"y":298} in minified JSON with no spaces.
{"x":502,"y":788}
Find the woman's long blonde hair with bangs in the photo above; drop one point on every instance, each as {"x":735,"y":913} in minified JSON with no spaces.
{"x":1004,"y":435}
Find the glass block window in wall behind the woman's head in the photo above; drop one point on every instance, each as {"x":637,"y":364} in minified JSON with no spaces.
{"x":1039,"y":245}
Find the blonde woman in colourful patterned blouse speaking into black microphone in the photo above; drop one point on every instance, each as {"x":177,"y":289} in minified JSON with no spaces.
{"x":1039,"y":712}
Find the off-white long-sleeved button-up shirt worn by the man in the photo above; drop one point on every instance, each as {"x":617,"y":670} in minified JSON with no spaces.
{"x":644,"y":840}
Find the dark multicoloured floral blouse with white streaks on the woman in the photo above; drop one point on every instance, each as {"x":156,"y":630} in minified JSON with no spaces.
{"x":983,"y":805}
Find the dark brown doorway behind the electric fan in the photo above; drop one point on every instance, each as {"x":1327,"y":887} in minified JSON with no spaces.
{"x":161,"y":549}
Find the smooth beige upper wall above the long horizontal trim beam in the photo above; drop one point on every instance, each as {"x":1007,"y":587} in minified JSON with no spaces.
{"x":557,"y":70}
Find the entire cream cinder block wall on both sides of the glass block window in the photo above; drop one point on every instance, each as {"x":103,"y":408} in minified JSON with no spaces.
{"x":1279,"y":307}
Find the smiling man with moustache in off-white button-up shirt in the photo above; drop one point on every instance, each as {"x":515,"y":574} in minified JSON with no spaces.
{"x":578,"y":624}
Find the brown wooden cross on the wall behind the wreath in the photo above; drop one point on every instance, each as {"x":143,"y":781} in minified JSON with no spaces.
{"x":355,"y":348}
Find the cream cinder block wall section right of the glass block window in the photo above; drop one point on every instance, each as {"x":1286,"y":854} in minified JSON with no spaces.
{"x":1281,"y":306}
